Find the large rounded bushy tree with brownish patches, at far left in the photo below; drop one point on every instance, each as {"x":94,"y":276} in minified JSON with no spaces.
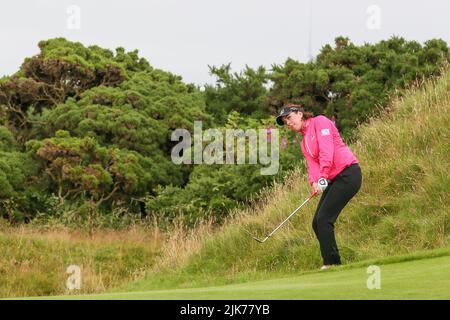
{"x":96,"y":125}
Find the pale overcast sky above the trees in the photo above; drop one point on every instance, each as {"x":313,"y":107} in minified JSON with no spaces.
{"x":185,"y":36}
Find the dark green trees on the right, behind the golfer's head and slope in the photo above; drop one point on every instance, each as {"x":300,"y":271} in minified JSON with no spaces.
{"x":350,"y":82}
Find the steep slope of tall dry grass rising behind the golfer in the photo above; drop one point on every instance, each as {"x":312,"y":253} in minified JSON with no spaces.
{"x":403,"y":205}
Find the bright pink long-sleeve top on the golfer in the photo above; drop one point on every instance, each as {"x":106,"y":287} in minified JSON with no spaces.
{"x":325,"y":152}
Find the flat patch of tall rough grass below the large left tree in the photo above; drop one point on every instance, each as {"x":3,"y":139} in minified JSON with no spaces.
{"x":34,"y":261}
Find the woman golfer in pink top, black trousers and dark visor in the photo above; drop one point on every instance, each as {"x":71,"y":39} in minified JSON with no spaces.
{"x":333,"y":170}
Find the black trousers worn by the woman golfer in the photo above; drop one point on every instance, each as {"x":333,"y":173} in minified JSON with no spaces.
{"x":335,"y":197}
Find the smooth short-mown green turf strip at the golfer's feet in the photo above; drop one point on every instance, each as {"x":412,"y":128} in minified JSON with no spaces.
{"x":418,"y":279}
